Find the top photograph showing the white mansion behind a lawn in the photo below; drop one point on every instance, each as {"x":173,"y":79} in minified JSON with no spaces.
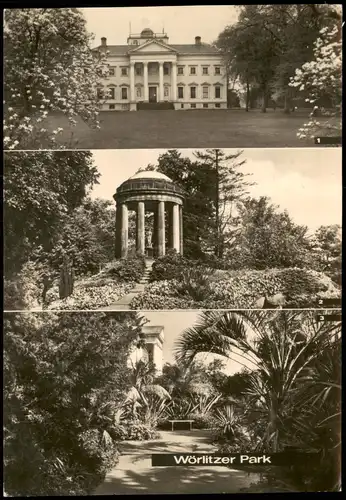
{"x":173,"y":77}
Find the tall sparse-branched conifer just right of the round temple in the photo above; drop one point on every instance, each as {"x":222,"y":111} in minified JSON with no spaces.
{"x":229,"y":185}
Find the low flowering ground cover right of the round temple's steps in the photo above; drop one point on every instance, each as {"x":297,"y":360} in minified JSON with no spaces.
{"x":200,"y":288}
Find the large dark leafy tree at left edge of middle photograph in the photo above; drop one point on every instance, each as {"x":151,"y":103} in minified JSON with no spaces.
{"x":41,"y":189}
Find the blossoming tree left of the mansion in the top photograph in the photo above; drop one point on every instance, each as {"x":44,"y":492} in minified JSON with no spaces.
{"x":49,"y":66}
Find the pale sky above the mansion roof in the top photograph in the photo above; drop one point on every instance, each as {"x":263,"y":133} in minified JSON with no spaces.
{"x":180,"y":23}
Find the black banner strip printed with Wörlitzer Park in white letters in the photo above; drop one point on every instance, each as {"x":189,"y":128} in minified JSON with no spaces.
{"x":236,"y":459}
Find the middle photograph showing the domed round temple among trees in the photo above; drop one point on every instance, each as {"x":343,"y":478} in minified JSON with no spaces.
{"x":173,"y":229}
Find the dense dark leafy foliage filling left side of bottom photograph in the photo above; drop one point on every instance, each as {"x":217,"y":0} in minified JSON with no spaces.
{"x":65,"y":377}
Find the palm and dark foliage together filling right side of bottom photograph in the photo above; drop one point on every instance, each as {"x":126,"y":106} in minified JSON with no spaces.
{"x":292,"y":398}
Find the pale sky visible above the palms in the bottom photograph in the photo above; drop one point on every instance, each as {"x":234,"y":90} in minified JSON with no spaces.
{"x":174,"y":323}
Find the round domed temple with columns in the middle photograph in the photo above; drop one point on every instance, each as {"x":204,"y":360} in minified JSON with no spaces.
{"x":156,"y":193}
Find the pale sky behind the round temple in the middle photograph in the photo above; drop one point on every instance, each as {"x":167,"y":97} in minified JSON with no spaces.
{"x":305,"y":181}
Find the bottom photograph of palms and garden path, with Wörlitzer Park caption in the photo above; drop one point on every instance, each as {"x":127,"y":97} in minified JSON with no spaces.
{"x":91,"y":397}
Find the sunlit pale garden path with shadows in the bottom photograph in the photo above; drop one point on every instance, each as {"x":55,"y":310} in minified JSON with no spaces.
{"x":134,"y":474}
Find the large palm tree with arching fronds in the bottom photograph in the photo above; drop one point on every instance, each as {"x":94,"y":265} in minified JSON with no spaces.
{"x":279,"y":350}
